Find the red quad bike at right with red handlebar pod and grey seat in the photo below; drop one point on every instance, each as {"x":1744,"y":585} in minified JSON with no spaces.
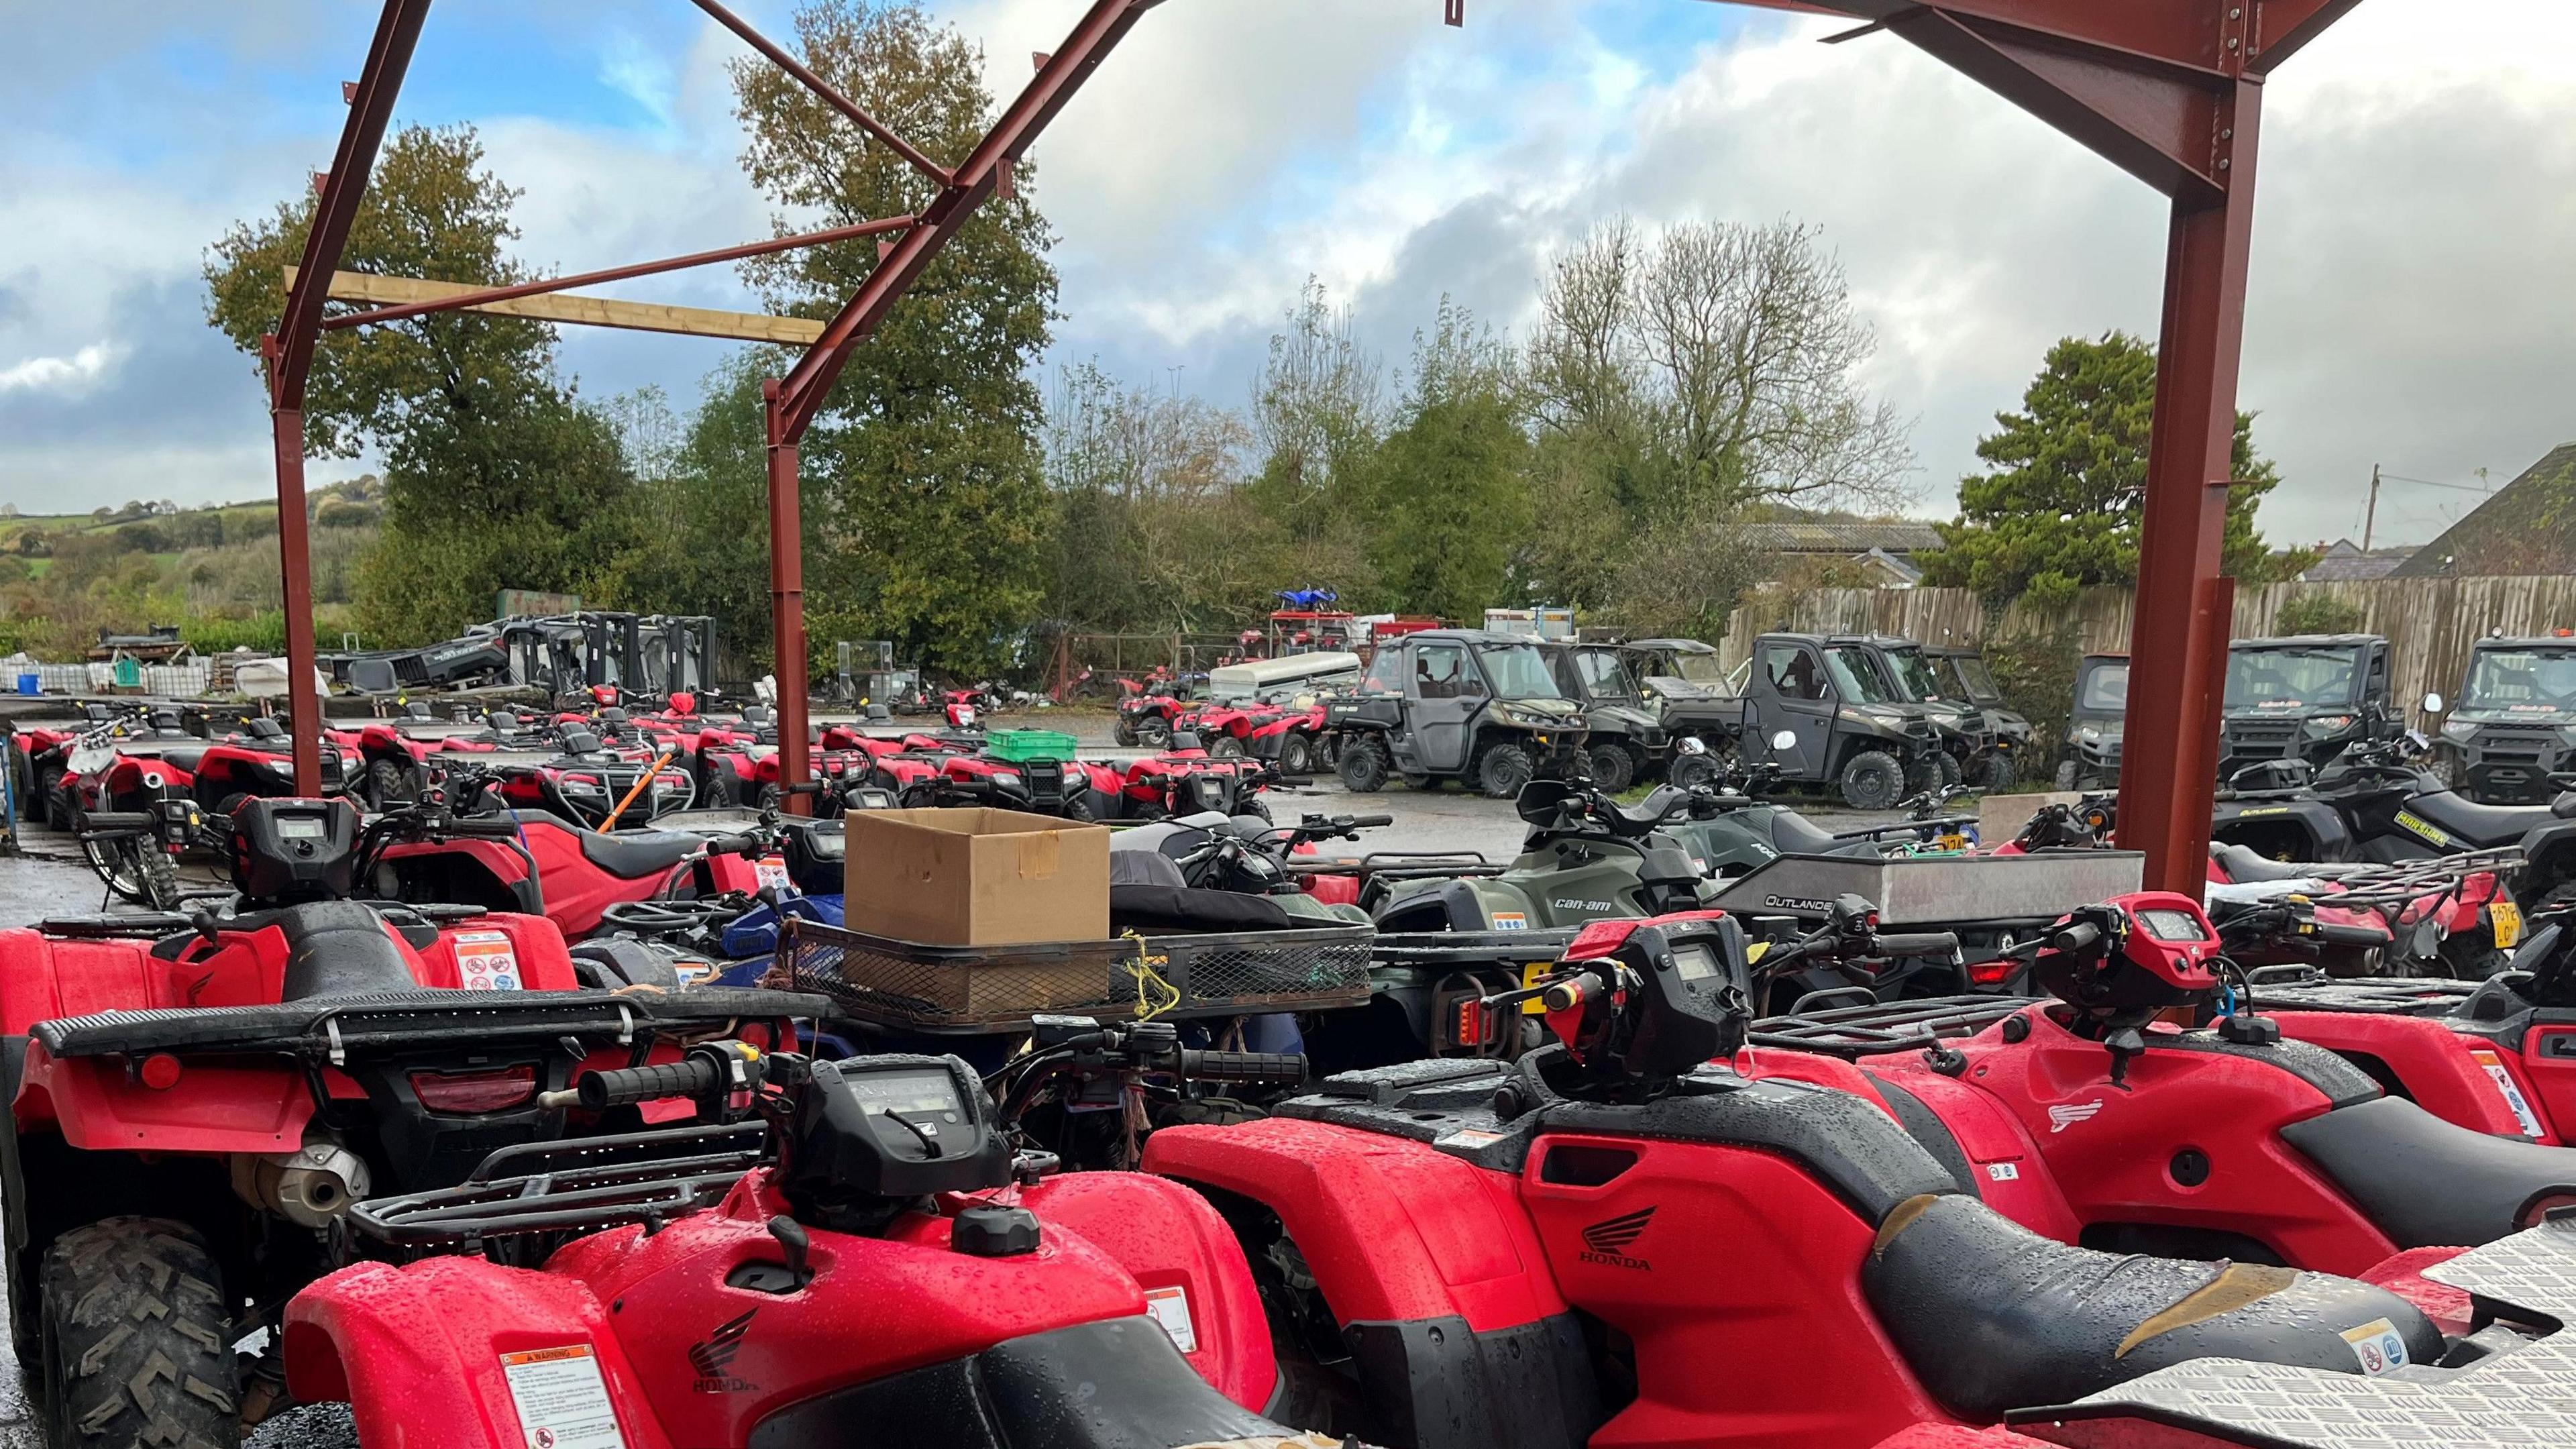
{"x":2093,"y":1120}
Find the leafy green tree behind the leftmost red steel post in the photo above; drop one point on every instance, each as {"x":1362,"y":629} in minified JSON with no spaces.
{"x":493,"y":471}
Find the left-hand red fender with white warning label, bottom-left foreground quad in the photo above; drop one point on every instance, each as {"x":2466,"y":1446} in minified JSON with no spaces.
{"x":421,"y":1355}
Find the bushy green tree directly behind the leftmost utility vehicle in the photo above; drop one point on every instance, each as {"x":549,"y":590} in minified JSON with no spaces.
{"x":1452,"y":494}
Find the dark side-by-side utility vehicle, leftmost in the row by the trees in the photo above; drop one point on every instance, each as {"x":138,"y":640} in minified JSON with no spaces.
{"x":1452,"y":705}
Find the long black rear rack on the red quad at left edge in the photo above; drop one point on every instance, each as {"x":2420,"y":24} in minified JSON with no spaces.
{"x":403,"y":1022}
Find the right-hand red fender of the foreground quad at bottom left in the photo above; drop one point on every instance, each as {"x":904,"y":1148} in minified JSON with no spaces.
{"x":1186,"y":1262}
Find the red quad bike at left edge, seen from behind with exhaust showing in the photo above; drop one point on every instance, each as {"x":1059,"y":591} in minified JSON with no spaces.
{"x":197,"y":1102}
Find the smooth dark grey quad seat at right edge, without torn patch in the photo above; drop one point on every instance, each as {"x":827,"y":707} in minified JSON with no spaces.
{"x":2433,"y":1182}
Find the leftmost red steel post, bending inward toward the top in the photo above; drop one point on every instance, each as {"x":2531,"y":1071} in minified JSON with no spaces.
{"x":292,"y":352}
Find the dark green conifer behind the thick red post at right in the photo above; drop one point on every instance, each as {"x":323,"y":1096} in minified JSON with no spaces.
{"x":2067,"y":486}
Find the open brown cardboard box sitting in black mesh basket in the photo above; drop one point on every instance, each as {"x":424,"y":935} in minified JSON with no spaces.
{"x":978,"y":878}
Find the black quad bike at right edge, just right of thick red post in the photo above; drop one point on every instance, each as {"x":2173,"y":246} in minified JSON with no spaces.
{"x":2374,"y":806}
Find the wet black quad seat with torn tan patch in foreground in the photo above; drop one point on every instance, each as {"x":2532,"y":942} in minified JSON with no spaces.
{"x":1993,"y":1316}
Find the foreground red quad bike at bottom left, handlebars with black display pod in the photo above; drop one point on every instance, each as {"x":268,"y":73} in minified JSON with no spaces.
{"x":875,"y":1267}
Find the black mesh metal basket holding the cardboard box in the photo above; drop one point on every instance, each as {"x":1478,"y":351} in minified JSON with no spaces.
{"x":998,"y":989}
